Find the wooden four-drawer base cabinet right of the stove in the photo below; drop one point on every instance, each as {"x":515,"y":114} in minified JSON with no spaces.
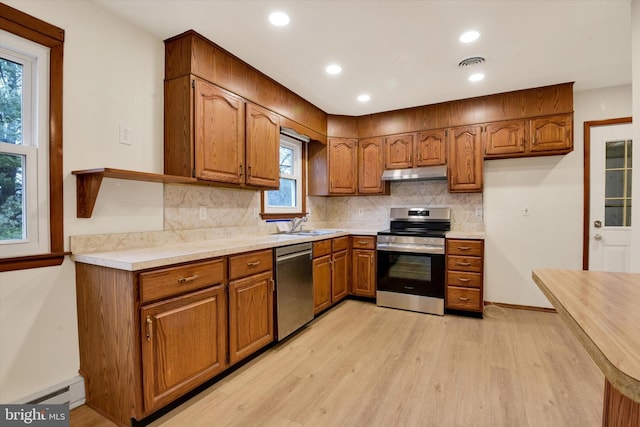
{"x":464,"y":275}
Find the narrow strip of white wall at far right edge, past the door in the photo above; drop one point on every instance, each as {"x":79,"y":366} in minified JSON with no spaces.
{"x":635,"y":185}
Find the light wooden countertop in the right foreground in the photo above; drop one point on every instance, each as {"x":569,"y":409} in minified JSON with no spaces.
{"x":603,"y":311}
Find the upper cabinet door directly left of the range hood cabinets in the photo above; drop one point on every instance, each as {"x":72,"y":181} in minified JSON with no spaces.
{"x":371,"y":166}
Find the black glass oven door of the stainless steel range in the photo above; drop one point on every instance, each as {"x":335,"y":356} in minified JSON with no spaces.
{"x":411,"y":273}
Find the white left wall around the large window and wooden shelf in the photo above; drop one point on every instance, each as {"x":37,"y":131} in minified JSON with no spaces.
{"x":113,"y":74}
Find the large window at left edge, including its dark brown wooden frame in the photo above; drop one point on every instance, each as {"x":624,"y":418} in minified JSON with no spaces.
{"x":31,"y":54}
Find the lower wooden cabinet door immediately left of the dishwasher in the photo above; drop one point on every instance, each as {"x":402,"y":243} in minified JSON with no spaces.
{"x":250,"y":315}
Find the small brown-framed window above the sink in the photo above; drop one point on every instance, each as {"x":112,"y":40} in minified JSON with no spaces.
{"x":288,"y":201}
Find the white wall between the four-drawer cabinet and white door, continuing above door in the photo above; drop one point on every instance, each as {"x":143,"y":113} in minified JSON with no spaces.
{"x":551,"y":237}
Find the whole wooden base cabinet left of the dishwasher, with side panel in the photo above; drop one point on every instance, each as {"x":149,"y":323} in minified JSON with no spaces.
{"x":147,"y":338}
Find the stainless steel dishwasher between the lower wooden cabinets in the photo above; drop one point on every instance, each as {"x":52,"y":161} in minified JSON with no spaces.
{"x":294,"y":287}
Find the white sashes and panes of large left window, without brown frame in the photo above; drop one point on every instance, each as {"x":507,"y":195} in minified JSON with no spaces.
{"x":24,"y":73}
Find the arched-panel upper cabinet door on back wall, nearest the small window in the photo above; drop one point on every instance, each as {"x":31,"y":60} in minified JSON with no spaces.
{"x":342,"y":165}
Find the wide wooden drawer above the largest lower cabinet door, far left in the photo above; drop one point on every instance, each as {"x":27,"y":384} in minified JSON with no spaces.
{"x":167,"y":282}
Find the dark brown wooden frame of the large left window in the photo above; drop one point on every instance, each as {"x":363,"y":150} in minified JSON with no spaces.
{"x":52,"y":37}
